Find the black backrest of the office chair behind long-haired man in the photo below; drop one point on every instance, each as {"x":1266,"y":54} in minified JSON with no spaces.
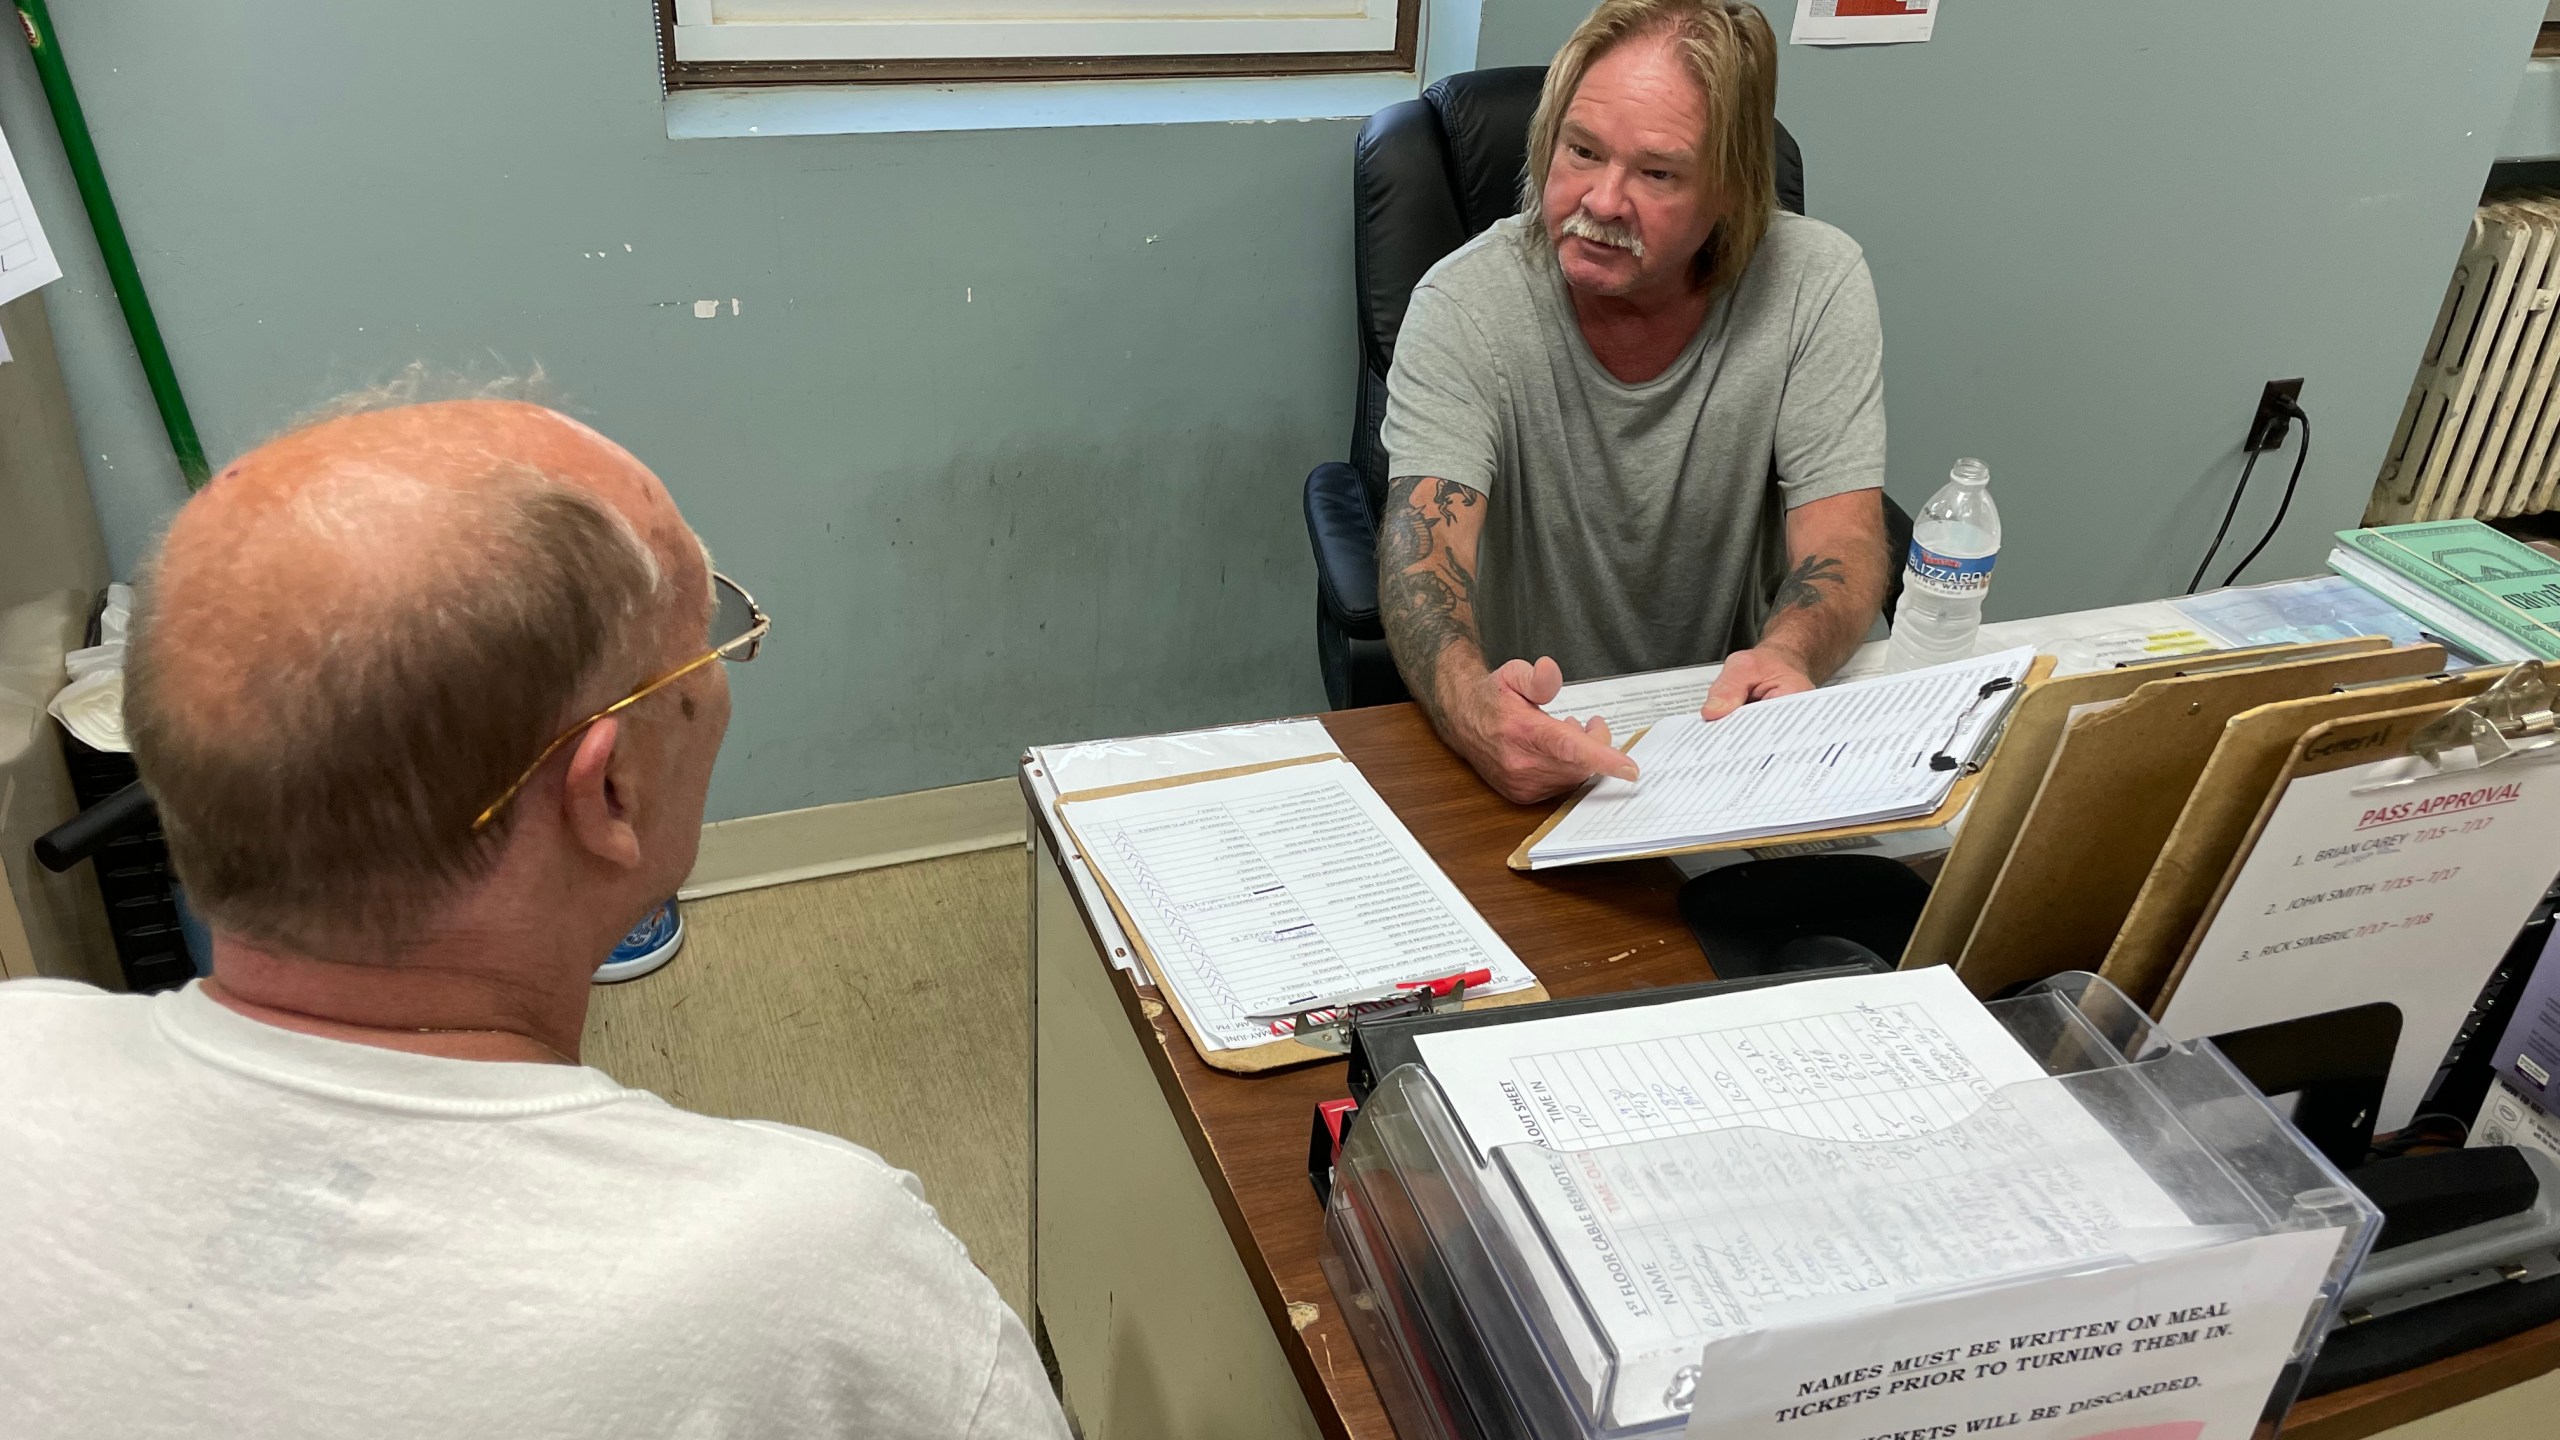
{"x":1427,"y":178}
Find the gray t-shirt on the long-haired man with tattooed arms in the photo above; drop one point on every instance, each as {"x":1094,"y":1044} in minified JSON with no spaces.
{"x":1632,"y":527}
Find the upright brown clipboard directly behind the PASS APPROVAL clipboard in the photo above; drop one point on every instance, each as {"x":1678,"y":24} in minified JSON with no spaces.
{"x":2223,"y":808}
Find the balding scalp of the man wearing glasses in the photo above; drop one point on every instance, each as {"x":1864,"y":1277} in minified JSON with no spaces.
{"x":365,"y":629}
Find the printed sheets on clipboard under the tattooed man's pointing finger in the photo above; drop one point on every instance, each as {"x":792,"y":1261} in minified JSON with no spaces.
{"x":1850,"y":755}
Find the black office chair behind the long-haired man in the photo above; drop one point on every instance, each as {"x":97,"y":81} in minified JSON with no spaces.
{"x":1425,"y":178}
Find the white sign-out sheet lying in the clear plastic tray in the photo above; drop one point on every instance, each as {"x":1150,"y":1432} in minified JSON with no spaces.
{"x":1714,"y":1167}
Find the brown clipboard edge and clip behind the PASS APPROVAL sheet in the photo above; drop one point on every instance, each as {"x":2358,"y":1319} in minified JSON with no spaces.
{"x":2472,"y":734}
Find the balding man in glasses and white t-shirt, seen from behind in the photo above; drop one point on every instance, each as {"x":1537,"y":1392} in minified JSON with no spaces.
{"x":429,"y":703}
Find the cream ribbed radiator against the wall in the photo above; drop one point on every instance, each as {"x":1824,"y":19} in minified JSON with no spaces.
{"x":2482,"y":419}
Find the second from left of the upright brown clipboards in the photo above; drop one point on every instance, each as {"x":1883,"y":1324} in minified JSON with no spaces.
{"x":2113,"y":796}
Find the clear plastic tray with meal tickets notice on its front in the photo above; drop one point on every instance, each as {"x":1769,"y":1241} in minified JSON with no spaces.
{"x":1765,"y":1282}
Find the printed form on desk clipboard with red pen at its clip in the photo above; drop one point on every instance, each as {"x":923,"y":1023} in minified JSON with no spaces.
{"x":1276,"y":890}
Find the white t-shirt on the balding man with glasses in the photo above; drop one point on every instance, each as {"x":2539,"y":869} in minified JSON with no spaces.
{"x":211,"y":1226}
